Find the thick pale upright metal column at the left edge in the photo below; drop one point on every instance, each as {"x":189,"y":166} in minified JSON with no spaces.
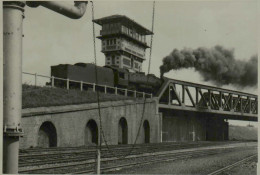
{"x":12,"y":48}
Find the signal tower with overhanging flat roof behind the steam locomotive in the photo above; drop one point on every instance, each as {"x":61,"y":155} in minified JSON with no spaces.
{"x":123,"y":42}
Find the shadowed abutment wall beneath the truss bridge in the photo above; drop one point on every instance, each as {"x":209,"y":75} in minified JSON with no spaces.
{"x":191,"y":126}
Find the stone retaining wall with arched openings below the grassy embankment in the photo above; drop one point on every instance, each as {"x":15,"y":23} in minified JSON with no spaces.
{"x":70,"y":122}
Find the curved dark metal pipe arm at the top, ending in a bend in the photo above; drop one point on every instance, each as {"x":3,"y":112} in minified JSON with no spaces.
{"x":74,"y":12}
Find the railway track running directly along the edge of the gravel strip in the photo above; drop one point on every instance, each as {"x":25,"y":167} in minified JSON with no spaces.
{"x":114,"y":163}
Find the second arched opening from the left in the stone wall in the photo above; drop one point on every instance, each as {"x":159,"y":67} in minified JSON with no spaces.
{"x":91,"y":133}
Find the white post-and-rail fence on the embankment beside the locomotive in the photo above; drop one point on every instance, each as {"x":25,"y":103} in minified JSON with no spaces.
{"x":51,"y":81}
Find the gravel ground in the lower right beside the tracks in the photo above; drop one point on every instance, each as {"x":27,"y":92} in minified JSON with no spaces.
{"x":199,"y":166}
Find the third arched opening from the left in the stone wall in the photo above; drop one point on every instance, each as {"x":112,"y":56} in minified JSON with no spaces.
{"x":122,"y":131}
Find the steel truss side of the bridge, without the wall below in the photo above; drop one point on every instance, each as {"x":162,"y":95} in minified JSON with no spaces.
{"x":186,"y":94}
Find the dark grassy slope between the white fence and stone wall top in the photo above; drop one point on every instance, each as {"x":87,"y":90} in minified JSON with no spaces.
{"x":45,"y":96}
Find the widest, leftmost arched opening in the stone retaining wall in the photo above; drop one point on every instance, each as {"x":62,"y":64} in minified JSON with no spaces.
{"x":47,"y":135}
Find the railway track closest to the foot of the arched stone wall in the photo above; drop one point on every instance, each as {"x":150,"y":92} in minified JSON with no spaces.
{"x":53,"y":155}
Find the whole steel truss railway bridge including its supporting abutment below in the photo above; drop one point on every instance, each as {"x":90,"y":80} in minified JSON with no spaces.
{"x":193,"y":111}
